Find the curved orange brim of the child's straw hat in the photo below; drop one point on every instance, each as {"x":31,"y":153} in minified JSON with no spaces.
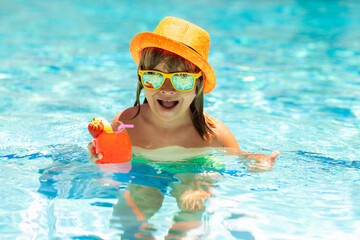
{"x":149,"y":39}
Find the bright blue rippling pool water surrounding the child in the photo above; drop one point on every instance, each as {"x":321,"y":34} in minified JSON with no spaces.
{"x":288,"y":79}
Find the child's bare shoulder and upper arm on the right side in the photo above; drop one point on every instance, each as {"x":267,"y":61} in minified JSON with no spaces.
{"x":223,"y":136}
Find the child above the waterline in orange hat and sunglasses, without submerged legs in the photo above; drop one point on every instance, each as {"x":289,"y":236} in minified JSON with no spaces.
{"x":174,"y":73}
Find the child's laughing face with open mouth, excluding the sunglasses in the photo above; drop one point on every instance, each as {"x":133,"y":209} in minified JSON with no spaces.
{"x":167,"y":103}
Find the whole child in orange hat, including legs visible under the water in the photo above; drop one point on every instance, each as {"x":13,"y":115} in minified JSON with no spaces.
{"x":174,"y":74}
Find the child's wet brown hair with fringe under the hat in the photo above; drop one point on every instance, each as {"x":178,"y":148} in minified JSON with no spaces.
{"x":150,"y":58}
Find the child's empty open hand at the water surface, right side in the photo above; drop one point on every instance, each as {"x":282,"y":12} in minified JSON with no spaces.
{"x":263,"y":162}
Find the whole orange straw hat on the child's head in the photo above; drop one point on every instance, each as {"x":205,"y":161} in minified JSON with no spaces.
{"x":182,"y":38}
